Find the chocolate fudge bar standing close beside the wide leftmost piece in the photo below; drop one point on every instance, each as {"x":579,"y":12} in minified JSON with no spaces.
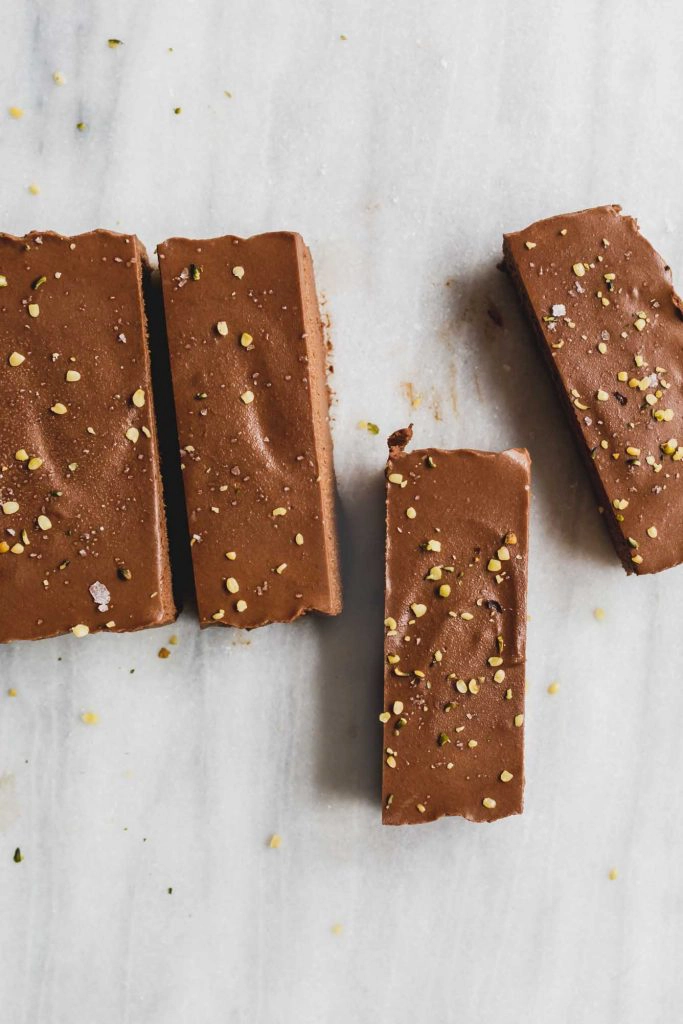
{"x":248,"y":364}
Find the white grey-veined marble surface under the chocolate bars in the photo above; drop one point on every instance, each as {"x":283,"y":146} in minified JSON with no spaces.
{"x":402,"y":154}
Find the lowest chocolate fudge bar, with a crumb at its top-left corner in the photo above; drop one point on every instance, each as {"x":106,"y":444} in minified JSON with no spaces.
{"x":456,"y":629}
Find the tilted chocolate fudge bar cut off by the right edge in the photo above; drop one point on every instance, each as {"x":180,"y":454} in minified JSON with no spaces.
{"x":609,"y":323}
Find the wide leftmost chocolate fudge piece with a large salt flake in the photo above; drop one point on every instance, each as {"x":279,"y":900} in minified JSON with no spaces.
{"x":82,"y":526}
